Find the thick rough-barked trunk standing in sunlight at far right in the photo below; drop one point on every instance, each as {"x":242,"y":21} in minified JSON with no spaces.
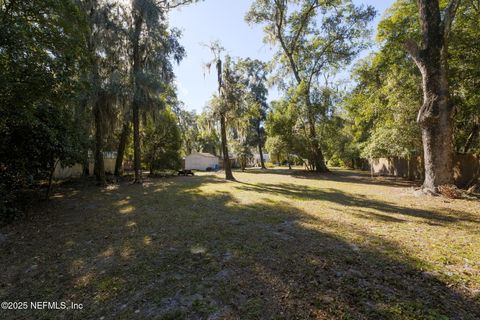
{"x":435,"y":115}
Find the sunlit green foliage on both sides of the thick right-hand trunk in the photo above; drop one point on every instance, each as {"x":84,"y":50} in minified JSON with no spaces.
{"x":382,"y":108}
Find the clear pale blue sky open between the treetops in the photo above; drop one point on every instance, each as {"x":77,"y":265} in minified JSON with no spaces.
{"x":222,"y":20}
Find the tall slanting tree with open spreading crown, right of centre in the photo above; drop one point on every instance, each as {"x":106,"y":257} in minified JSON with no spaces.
{"x":308,"y":48}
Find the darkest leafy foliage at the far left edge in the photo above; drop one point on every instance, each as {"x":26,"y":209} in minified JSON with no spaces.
{"x":41,"y":54}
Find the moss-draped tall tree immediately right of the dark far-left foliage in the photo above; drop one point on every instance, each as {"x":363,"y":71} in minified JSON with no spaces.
{"x":106,"y":73}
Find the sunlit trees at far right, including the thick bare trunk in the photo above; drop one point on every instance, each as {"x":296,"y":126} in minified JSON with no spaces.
{"x":417,"y":96}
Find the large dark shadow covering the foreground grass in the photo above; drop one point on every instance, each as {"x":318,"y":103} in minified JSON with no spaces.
{"x":179,"y":253}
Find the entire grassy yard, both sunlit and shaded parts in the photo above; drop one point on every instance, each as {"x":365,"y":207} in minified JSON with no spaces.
{"x":273,"y":245}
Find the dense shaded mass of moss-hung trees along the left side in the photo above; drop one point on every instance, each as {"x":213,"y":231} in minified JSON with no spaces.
{"x":80,"y":76}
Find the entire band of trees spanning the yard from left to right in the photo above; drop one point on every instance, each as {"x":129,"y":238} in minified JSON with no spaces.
{"x":80,"y":77}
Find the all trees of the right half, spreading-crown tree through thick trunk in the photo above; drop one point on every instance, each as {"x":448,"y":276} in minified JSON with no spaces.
{"x":415,"y":96}
